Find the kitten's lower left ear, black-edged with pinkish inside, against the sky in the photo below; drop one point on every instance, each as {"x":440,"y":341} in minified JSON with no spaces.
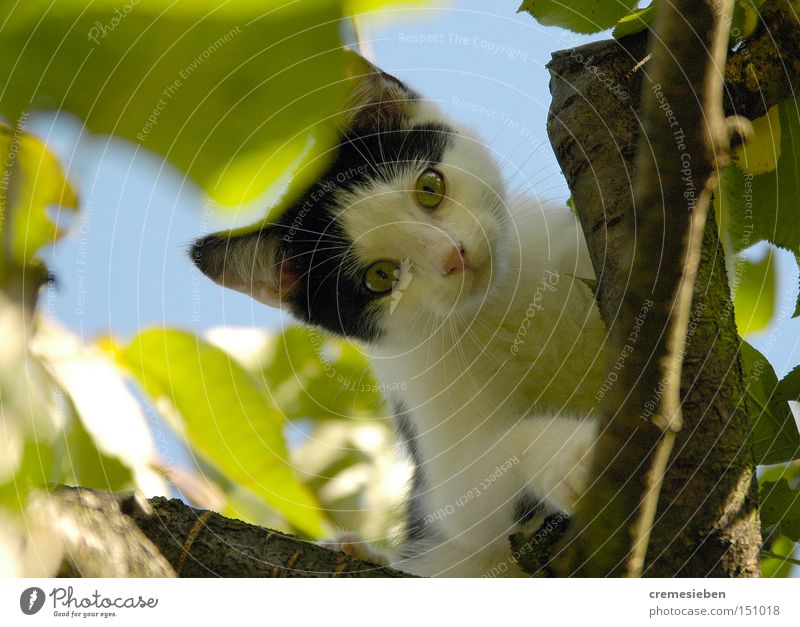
{"x":253,"y":263}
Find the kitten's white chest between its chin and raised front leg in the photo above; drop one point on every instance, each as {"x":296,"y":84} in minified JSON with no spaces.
{"x":541,"y":351}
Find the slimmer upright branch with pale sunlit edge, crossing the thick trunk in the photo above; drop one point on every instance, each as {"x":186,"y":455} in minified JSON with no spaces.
{"x":684,"y":139}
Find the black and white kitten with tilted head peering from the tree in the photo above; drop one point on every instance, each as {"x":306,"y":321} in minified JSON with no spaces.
{"x":465,"y":300}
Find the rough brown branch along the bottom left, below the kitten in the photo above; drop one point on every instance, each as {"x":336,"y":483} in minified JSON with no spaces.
{"x":117,"y":535}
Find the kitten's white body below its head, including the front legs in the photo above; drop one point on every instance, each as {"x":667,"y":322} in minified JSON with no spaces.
{"x":486,"y":385}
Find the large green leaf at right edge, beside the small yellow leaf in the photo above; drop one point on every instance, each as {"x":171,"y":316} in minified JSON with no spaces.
{"x":766,"y":206}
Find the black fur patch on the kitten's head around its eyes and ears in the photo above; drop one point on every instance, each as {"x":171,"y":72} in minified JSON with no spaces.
{"x":329,"y":290}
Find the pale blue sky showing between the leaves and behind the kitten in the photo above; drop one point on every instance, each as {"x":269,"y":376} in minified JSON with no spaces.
{"x":123,"y":267}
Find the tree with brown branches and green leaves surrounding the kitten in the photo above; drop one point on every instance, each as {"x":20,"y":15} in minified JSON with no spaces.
{"x":662,"y":134}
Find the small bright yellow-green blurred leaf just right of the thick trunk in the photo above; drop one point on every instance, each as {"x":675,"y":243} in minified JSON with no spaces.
{"x":754,"y":298}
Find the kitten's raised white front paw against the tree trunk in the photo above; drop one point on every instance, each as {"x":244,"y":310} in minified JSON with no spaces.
{"x":563,"y":477}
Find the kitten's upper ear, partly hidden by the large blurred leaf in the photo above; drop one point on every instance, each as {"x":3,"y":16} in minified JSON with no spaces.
{"x":377,"y":100}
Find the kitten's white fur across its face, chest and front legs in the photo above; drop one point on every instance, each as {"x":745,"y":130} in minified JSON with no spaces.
{"x":479,"y":400}
